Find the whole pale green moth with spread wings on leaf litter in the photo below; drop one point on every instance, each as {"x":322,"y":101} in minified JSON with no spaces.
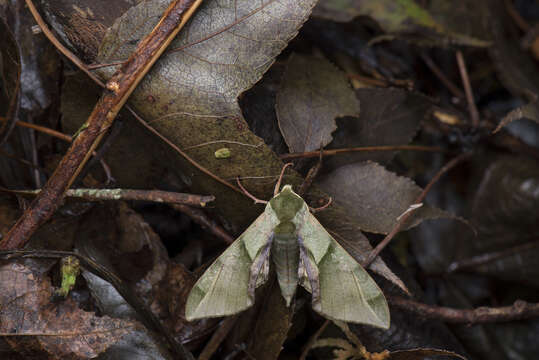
{"x":302,"y":252}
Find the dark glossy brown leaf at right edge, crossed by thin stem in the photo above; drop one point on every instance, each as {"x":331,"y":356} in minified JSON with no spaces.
{"x":504,"y":212}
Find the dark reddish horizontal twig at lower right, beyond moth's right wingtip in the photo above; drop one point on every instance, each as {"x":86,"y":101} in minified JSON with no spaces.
{"x":518,"y":311}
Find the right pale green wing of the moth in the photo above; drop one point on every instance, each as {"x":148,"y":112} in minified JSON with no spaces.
{"x":347,"y":292}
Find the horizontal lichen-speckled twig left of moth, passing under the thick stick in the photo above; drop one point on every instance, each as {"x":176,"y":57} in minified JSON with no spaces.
{"x":127,"y":194}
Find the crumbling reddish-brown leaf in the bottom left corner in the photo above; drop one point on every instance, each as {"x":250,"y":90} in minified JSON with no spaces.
{"x":59,"y":330}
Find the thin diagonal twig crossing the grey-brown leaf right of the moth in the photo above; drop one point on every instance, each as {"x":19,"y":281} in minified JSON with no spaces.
{"x":451,"y":164}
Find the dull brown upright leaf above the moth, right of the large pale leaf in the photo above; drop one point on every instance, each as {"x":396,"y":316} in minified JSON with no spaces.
{"x":313,"y":93}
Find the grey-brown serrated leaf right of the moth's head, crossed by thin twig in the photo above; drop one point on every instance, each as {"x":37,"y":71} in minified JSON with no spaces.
{"x":376,"y":196}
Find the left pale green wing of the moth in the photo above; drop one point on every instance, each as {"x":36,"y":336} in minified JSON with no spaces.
{"x":223,"y":288}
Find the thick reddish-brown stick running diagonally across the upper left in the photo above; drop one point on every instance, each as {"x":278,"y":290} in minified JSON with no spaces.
{"x":121,"y":85}
